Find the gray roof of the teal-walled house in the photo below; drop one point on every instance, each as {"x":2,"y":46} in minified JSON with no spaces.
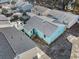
{"x":37,"y":23}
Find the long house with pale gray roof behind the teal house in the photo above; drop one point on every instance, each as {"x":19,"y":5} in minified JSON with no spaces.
{"x":60,"y":17}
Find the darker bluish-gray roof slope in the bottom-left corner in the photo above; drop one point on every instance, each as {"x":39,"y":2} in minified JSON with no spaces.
{"x":6,"y":51}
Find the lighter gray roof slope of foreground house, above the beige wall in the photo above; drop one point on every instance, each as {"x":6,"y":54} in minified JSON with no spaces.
{"x":18,"y":40}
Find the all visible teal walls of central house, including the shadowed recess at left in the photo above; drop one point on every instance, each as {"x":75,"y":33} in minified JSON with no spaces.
{"x":48,"y":39}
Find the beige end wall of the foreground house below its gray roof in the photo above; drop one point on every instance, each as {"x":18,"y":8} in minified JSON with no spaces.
{"x":34,"y":53}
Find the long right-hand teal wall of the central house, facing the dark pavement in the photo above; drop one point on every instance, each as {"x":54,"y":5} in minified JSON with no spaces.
{"x":60,"y":30}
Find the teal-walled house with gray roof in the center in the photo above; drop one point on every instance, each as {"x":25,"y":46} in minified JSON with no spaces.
{"x":43,"y":29}
